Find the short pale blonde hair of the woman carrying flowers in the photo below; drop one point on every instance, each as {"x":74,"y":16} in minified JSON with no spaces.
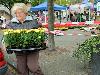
{"x":21,"y":6}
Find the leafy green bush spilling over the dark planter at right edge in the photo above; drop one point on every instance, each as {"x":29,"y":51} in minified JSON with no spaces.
{"x":88,"y":47}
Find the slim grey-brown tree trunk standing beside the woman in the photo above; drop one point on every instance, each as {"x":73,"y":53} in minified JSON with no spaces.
{"x":51,"y":24}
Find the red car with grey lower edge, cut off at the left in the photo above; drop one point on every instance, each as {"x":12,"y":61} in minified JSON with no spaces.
{"x":3,"y":64}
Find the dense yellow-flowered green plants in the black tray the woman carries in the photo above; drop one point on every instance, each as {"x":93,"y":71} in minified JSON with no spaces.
{"x":24,"y":38}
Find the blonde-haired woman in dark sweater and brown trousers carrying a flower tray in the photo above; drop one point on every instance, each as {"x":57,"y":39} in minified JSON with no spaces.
{"x":26,"y":60}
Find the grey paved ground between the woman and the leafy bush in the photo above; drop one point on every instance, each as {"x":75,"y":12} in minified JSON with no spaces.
{"x":61,"y":62}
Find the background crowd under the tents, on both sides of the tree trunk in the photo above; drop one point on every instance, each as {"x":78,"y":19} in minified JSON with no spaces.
{"x":72,"y":16}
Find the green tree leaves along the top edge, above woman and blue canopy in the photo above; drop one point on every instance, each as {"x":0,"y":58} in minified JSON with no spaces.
{"x":10,"y":3}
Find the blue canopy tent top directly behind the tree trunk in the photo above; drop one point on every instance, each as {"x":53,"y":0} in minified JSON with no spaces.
{"x":44,"y":6}
